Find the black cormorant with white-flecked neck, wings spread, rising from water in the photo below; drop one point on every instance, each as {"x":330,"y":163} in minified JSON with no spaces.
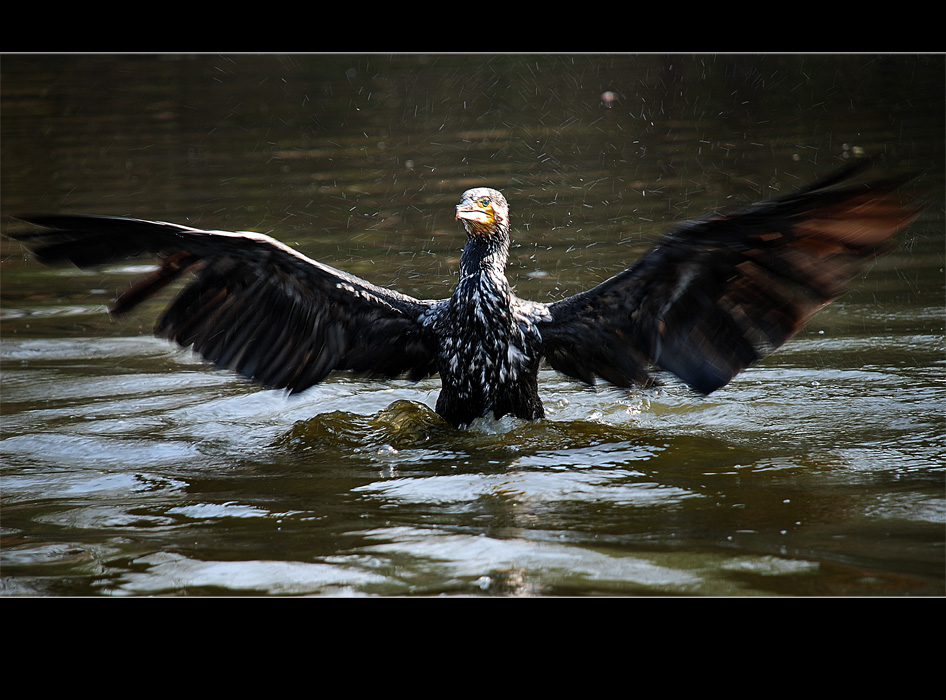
{"x":713,"y":296}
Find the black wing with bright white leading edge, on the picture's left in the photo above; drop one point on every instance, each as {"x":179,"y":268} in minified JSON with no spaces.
{"x":254,"y":305}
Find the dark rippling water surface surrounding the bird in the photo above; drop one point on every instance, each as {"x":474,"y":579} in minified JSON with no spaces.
{"x":132,"y":468}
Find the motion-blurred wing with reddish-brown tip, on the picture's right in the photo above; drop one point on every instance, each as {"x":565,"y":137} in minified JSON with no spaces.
{"x":718,"y":294}
